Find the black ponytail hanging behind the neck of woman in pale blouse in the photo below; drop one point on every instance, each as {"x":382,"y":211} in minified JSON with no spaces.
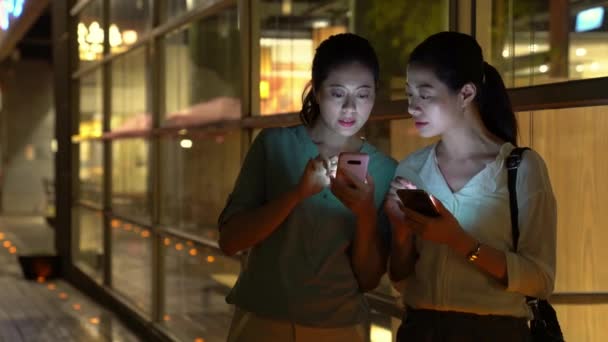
{"x":495,"y":106}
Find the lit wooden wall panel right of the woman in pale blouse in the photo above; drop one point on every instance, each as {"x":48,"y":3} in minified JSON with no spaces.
{"x":573,"y":143}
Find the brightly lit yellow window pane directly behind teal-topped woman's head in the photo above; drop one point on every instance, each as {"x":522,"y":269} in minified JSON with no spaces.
{"x":289,"y":34}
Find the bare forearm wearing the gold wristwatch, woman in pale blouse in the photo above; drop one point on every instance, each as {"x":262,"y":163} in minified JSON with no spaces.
{"x":490,"y":260}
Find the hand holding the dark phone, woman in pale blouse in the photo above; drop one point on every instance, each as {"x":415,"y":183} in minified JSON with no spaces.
{"x":444,"y":229}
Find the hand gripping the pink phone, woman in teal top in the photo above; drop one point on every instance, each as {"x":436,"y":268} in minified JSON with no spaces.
{"x":355,"y":194}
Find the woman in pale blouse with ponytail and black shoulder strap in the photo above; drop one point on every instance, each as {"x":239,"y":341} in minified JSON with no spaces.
{"x":460,"y":276}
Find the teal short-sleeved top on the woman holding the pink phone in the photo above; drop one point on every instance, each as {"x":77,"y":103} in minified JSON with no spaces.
{"x":302,"y":272}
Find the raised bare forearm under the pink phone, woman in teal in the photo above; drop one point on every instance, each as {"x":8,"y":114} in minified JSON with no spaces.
{"x":368,"y":255}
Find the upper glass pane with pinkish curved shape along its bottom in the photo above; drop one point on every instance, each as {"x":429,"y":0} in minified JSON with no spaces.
{"x":203,"y":71}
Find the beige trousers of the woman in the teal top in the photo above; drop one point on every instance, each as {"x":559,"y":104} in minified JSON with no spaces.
{"x":247,"y":327}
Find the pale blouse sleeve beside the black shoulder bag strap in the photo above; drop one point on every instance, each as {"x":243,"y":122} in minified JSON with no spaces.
{"x":531,"y":270}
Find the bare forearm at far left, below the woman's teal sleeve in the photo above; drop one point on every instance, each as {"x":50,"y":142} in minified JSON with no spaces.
{"x":246,"y":229}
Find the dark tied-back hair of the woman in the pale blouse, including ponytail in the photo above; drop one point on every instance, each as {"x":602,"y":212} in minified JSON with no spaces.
{"x":457,"y":59}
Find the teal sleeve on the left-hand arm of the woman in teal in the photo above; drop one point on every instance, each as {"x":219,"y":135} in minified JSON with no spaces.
{"x":249,"y":189}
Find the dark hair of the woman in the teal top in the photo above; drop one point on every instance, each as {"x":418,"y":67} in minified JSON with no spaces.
{"x":333,"y":52}
